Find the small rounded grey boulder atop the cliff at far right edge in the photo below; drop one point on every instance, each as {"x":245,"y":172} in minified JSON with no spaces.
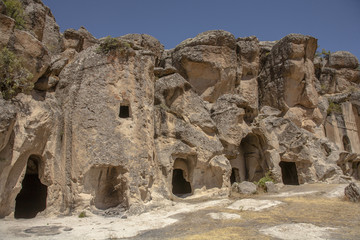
{"x":343,"y":59}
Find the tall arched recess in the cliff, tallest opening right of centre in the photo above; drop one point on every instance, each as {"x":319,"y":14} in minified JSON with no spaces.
{"x":255,"y":164}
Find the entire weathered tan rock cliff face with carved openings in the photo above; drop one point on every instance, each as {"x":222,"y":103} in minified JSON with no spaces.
{"x":122,"y":128}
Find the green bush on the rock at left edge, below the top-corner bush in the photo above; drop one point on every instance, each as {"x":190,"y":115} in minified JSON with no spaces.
{"x":14,"y":78}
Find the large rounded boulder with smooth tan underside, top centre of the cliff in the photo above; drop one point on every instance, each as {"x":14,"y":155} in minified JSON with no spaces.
{"x":209,"y":63}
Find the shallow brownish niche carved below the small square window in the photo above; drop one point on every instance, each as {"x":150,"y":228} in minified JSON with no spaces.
{"x":108,"y":186}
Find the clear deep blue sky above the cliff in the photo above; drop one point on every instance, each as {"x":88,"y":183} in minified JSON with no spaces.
{"x":335,"y":23}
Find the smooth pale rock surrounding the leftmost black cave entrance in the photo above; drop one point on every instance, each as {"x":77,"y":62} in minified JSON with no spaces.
{"x":34,"y":135}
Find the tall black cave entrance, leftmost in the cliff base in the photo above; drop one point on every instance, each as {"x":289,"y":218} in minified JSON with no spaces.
{"x":32,"y":198}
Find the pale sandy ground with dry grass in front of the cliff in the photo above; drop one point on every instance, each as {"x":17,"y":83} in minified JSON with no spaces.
{"x":310,"y":211}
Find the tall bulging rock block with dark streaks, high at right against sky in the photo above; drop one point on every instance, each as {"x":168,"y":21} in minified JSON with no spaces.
{"x":288,"y":76}
